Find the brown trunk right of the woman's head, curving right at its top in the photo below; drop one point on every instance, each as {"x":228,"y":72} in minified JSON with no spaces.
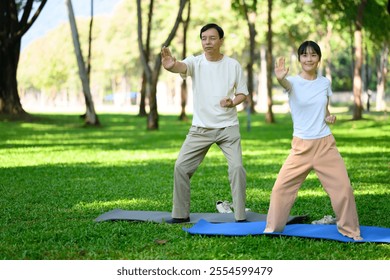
{"x":357,"y":79}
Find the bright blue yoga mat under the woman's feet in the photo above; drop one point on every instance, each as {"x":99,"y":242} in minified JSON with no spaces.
{"x":330,"y":232}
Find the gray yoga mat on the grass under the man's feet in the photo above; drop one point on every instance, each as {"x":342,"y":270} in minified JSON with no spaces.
{"x":160,"y":217}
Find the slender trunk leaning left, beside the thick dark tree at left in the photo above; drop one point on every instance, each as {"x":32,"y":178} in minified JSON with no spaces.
{"x":90,"y":117}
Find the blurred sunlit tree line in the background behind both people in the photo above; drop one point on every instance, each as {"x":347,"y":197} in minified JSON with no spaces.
{"x":355,"y":48}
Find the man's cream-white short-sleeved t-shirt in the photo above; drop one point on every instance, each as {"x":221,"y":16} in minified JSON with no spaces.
{"x":211,"y":82}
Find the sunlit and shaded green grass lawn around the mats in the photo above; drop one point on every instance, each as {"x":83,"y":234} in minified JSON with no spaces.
{"x":57,"y":176}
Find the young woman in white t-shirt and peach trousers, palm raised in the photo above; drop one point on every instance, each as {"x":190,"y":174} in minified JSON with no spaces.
{"x":313,"y":146}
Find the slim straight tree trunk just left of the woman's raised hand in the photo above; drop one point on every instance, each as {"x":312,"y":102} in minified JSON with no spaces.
{"x":269,"y":115}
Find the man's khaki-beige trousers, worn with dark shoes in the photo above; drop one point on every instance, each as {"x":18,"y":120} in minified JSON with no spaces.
{"x":192,"y":153}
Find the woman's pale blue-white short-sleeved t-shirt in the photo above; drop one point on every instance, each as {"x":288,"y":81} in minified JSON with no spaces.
{"x":308,"y":101}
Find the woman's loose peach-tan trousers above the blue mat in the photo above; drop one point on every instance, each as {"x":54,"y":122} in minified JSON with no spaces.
{"x":322,"y":156}
